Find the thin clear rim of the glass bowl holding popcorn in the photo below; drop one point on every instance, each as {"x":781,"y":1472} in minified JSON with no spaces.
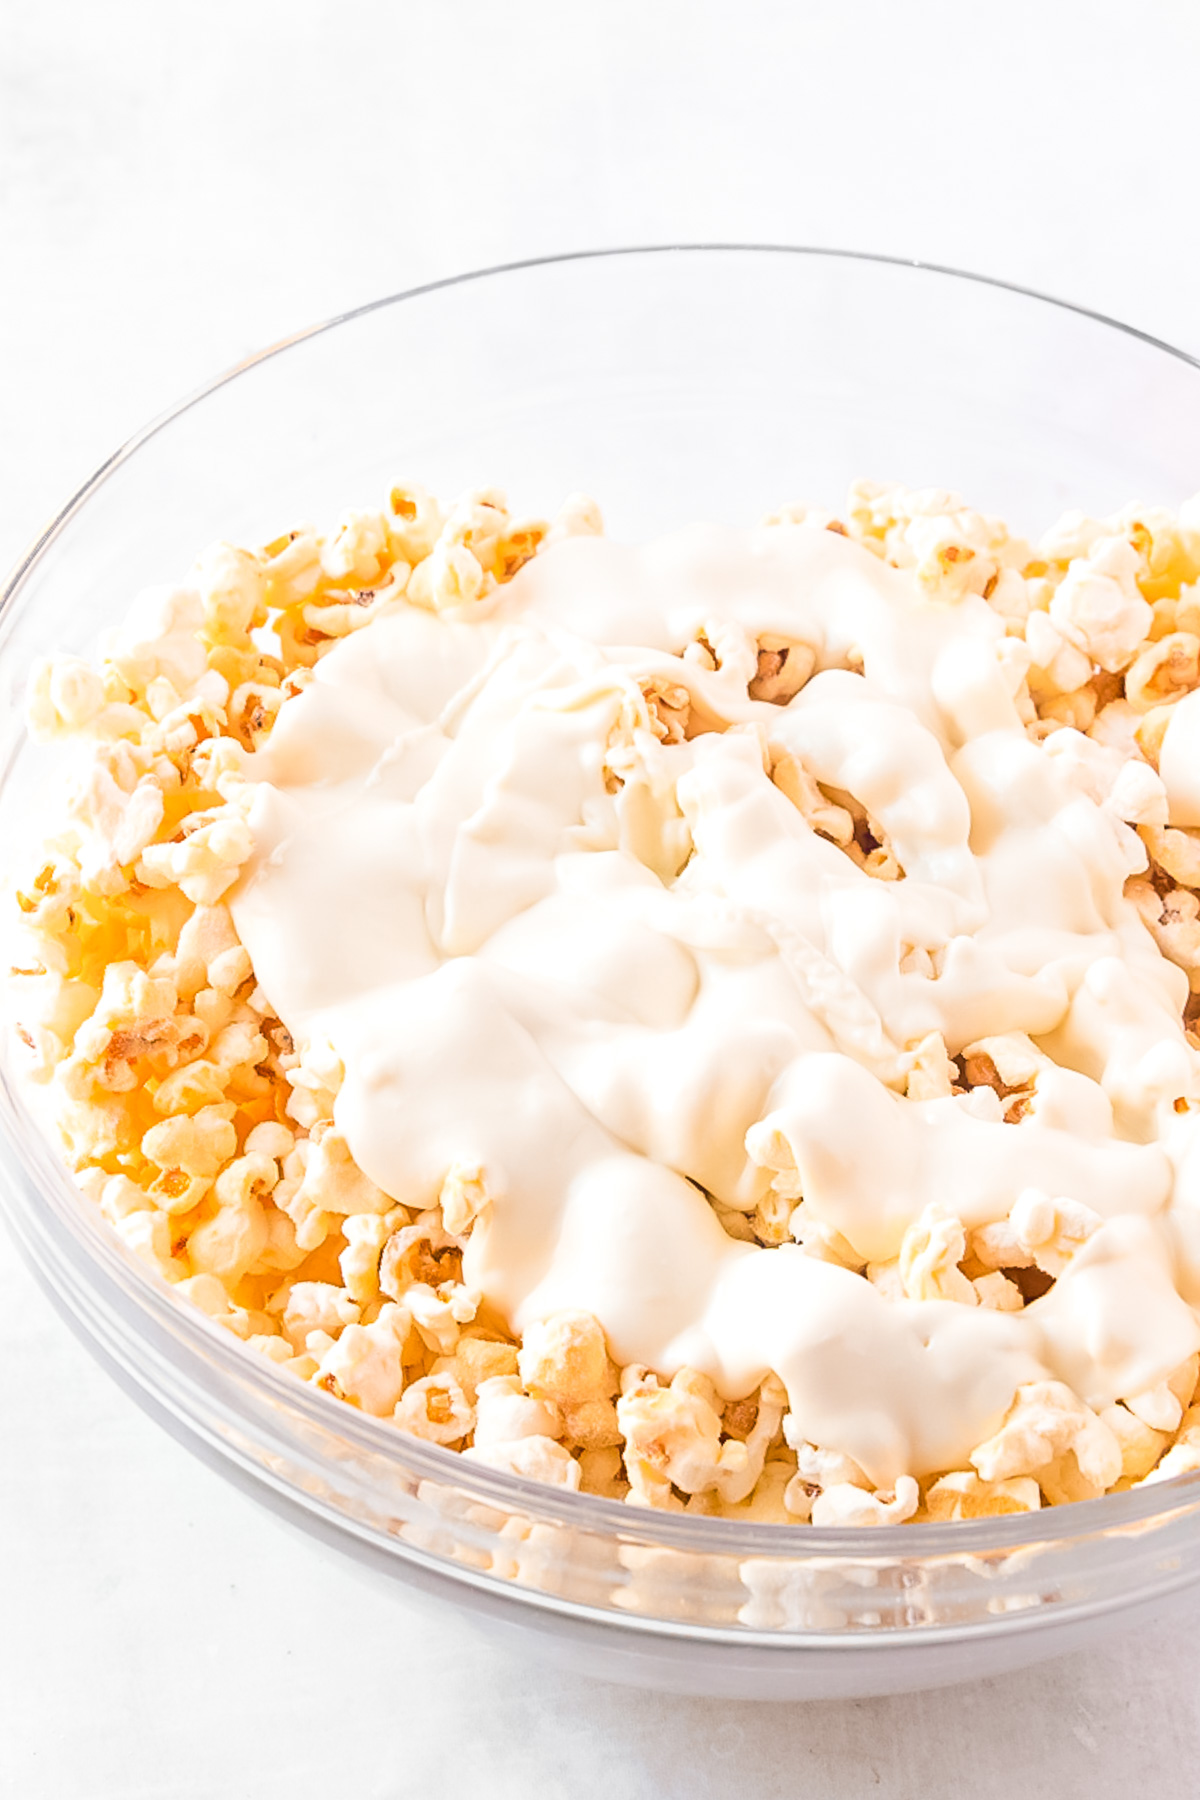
{"x":1133,"y":1511}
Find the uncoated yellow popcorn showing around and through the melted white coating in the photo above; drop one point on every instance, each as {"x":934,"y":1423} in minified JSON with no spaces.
{"x":210,"y":1140}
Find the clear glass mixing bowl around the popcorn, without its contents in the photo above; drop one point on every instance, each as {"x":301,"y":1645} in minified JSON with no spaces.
{"x":674,"y":384}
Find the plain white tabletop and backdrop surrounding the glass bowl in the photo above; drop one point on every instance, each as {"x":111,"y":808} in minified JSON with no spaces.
{"x":183,"y":183}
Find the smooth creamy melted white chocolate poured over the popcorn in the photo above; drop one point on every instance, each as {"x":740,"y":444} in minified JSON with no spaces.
{"x":614,"y":996}
